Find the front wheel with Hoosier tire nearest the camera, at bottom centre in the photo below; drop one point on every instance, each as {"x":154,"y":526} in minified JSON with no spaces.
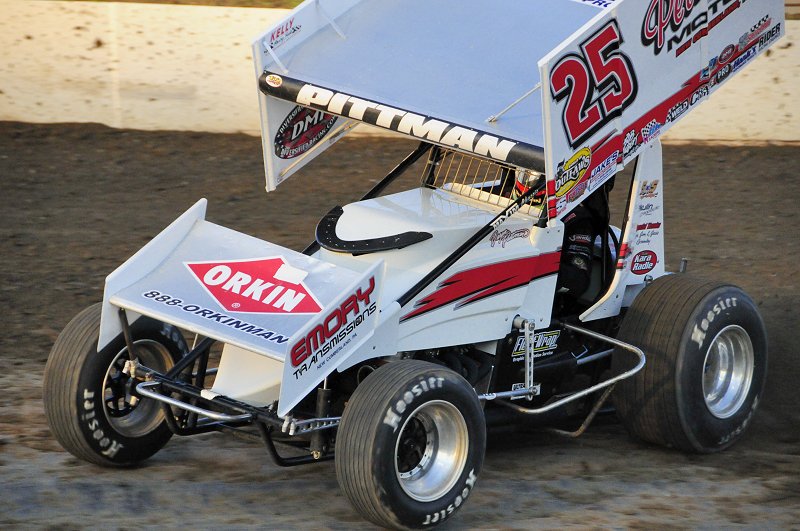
{"x":410,"y":444}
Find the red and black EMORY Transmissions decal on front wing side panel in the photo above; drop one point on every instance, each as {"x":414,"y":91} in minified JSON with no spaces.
{"x":333,"y":333}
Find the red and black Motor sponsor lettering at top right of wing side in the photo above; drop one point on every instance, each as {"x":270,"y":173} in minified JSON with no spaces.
{"x":676,"y":25}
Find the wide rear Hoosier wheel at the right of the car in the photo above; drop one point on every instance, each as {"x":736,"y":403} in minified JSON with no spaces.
{"x":706,"y":350}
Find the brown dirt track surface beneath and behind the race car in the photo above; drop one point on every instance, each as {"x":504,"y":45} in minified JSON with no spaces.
{"x":80,"y":199}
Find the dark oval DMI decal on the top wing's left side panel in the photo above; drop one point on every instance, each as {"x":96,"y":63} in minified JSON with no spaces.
{"x":301,"y":130}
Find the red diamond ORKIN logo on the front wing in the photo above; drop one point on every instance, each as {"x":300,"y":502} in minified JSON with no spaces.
{"x":260,"y":285}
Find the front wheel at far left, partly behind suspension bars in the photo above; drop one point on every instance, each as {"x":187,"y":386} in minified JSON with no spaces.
{"x":85,"y":396}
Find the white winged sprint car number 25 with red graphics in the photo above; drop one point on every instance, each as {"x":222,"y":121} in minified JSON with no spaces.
{"x":416,"y":319}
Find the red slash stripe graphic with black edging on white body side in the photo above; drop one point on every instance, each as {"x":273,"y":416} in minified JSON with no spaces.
{"x":472,"y":285}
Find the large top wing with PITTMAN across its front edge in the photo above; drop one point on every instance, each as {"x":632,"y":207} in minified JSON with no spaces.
{"x":572,"y":88}
